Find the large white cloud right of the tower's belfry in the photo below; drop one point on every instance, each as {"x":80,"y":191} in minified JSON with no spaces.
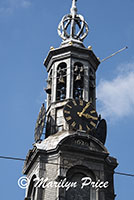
{"x":116,"y":97}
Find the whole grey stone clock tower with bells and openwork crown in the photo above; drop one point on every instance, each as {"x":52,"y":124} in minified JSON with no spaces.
{"x":71,"y":163}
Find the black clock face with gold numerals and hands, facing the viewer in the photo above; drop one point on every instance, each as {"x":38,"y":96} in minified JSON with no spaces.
{"x":80,"y":115}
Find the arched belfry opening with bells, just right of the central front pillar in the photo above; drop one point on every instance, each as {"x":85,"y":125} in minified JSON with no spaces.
{"x":78,"y":77}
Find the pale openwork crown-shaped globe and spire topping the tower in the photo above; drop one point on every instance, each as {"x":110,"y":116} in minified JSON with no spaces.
{"x":73,"y":26}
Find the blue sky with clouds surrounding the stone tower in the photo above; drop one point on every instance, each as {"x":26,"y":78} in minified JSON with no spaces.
{"x":28,"y":28}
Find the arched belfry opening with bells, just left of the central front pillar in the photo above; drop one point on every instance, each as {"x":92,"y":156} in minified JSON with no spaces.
{"x":61,"y":81}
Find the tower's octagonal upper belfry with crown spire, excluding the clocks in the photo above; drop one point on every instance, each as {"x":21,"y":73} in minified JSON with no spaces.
{"x":71,"y":70}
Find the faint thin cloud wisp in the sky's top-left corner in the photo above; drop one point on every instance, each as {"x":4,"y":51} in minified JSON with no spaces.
{"x":8,"y":6}
